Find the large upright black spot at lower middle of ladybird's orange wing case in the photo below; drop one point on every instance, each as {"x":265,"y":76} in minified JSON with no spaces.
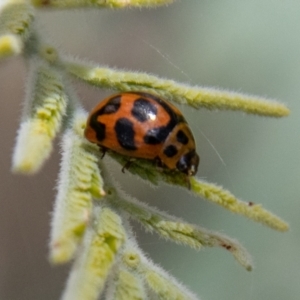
{"x":125,"y":133}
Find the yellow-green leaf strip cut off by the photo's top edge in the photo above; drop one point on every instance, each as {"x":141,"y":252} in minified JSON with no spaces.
{"x":99,"y":3}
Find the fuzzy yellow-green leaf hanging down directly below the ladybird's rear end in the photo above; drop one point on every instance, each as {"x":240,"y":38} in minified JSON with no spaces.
{"x":79,"y":181}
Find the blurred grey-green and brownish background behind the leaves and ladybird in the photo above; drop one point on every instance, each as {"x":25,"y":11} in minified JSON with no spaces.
{"x":246,"y":46}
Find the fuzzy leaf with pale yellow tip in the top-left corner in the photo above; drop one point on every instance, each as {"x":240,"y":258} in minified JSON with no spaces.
{"x":16,"y":18}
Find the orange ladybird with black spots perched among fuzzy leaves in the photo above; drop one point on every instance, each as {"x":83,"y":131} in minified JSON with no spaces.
{"x":142,"y":125}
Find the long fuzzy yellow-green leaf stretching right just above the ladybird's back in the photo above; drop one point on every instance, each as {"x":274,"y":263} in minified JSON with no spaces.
{"x":184,"y":94}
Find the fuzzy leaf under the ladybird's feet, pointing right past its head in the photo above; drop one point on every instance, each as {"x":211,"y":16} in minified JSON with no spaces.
{"x":147,"y":170}
